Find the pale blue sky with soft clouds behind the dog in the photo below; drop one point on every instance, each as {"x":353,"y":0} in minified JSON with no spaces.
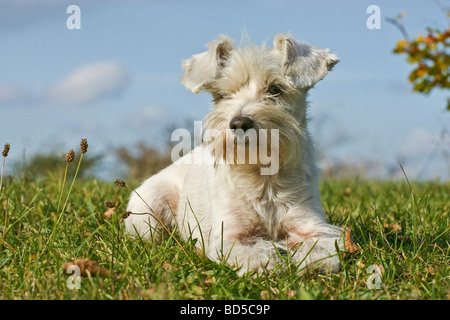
{"x":116,"y":80}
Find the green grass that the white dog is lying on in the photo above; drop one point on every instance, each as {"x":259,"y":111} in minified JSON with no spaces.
{"x":403,"y":229}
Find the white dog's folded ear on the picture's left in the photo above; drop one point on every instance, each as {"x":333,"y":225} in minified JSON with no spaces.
{"x":201,"y":68}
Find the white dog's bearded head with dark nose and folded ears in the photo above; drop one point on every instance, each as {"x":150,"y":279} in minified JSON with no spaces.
{"x":256,"y":90}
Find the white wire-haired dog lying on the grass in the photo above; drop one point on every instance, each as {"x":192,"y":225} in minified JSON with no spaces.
{"x":237,"y":212}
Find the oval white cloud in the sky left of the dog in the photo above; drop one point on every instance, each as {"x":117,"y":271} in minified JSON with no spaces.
{"x":90,"y":83}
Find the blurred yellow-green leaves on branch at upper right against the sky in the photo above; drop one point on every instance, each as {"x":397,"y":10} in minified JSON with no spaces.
{"x":429,"y":55}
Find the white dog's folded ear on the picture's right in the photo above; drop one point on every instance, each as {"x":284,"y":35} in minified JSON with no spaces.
{"x":306,"y":65}
